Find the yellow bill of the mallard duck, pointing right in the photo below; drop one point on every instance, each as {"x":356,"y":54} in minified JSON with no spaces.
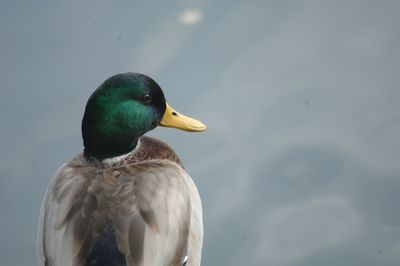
{"x":174,"y":119}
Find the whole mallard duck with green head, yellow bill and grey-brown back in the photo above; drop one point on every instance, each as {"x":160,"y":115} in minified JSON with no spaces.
{"x":126,"y":199}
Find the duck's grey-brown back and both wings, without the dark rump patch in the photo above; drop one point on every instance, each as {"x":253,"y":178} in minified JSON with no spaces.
{"x":153,"y":206}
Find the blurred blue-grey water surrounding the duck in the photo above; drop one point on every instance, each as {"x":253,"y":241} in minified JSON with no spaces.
{"x":301,"y":162}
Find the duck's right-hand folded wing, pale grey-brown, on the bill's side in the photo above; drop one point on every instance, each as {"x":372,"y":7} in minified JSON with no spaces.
{"x":158,"y":208}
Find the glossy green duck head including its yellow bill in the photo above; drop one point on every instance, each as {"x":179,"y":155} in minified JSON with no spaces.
{"x":122,"y":109}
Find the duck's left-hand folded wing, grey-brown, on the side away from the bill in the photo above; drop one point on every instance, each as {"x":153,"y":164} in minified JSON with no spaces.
{"x":68,"y":224}
